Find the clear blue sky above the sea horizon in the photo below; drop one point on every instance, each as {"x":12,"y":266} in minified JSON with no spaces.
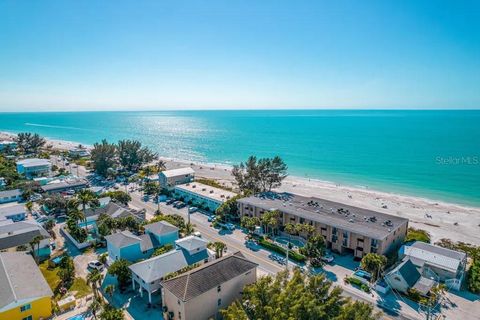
{"x":104,"y":55}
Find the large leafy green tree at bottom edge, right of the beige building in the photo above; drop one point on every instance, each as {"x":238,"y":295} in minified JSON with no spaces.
{"x":298,"y":297}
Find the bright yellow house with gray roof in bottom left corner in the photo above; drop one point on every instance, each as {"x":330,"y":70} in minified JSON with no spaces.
{"x":24,"y":293}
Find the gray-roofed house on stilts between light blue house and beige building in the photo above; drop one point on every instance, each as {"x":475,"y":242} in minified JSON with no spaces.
{"x":150,"y":273}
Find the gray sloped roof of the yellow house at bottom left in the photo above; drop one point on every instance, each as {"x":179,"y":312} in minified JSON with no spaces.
{"x":20,"y":279}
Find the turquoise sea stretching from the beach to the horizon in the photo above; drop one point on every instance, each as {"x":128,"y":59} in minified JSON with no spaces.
{"x":435,"y":154}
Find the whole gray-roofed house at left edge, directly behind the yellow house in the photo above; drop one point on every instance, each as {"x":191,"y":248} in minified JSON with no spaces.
{"x":16,"y":235}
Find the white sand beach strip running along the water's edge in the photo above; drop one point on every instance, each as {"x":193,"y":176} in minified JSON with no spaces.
{"x":441,"y":219}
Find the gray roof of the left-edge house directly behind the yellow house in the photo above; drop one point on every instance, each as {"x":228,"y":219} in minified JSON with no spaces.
{"x":14,"y":234}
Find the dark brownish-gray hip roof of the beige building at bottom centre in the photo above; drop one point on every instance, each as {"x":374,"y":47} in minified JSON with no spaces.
{"x":200,"y":280}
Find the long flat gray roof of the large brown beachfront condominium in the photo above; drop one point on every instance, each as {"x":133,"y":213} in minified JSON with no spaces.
{"x":358,"y":220}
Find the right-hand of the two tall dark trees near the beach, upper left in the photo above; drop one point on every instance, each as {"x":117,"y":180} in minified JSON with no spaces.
{"x":133,"y":155}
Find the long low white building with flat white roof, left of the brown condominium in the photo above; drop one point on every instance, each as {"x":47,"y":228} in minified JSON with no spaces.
{"x":204,"y":196}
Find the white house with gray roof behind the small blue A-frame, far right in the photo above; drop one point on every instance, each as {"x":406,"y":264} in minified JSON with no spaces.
{"x":442,"y":264}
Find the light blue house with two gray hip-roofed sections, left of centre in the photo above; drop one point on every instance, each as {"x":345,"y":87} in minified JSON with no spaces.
{"x":126,"y":245}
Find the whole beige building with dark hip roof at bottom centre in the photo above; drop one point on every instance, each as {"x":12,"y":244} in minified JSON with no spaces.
{"x":199,"y":294}
